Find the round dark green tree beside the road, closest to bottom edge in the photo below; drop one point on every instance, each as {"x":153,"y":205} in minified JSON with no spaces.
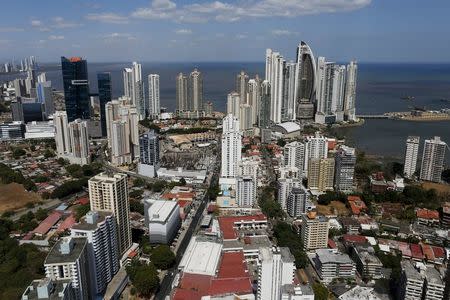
{"x":143,"y":277}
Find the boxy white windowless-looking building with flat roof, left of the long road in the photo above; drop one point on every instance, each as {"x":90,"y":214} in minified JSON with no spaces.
{"x":163,"y":220}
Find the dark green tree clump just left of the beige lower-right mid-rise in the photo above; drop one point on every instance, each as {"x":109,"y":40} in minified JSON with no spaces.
{"x":286,"y":237}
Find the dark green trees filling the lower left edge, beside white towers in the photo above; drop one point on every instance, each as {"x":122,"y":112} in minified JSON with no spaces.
{"x":19,"y":265}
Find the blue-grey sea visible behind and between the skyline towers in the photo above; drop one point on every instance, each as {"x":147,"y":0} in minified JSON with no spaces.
{"x":379,"y":89}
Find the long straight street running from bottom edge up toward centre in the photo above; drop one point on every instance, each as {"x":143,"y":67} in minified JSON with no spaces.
{"x":166,"y":283}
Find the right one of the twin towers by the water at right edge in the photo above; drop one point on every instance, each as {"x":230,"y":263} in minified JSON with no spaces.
{"x":433,"y":159}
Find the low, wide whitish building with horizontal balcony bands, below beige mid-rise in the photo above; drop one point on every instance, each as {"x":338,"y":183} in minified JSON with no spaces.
{"x":330,"y":264}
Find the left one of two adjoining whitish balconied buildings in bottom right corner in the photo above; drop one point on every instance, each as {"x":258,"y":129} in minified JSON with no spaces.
{"x":411,"y":282}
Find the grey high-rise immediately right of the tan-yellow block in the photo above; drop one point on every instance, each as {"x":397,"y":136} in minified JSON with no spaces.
{"x":345,"y":169}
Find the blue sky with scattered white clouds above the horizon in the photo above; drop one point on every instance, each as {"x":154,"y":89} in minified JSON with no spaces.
{"x":226,"y":30}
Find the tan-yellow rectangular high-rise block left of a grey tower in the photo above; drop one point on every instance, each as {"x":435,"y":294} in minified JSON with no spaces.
{"x":321,"y":174}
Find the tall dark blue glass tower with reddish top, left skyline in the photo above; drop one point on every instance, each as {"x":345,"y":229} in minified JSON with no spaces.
{"x":76,"y":88}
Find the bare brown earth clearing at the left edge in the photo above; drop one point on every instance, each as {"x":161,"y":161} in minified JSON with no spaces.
{"x":14,"y":196}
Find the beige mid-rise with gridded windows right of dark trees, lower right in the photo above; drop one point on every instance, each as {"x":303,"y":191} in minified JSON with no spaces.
{"x":314,"y":232}
